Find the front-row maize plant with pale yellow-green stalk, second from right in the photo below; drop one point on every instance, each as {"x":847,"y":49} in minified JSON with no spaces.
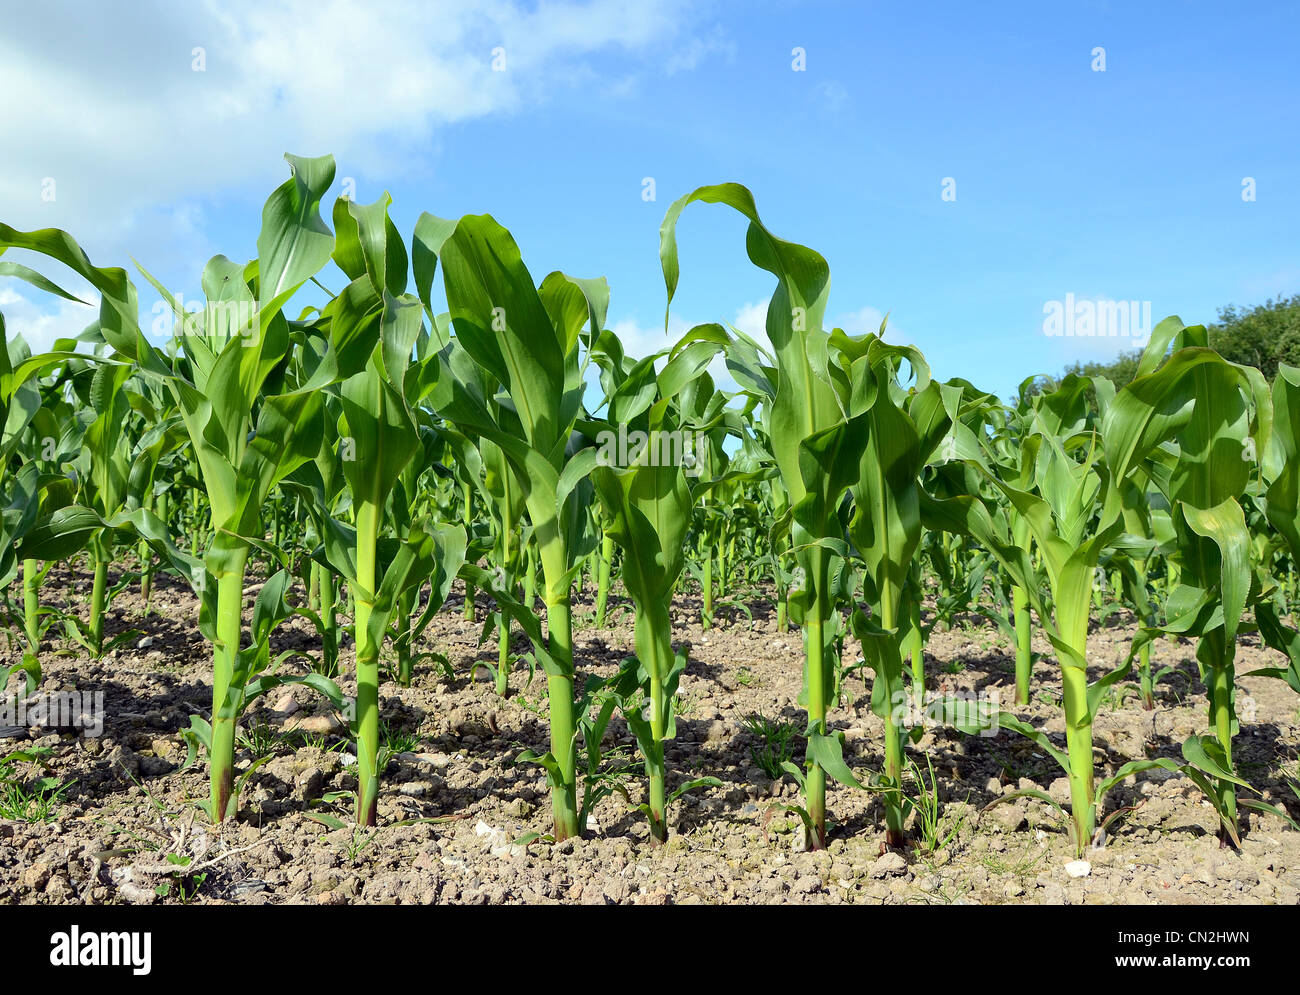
{"x":1076,"y":512}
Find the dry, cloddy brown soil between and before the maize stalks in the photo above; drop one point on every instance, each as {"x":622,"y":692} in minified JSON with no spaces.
{"x":463,"y":823}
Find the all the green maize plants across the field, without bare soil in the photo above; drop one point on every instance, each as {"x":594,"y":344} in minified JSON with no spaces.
{"x":358,"y":422}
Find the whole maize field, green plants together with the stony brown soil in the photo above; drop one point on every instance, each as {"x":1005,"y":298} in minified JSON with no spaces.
{"x":388,"y":576}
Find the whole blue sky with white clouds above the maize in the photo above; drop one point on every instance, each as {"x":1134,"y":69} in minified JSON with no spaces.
{"x":1125,"y":184}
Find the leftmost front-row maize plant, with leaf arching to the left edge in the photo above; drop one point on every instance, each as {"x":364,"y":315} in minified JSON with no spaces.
{"x":249,"y":425}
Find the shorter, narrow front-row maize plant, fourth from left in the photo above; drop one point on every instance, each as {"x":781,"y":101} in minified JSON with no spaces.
{"x":648,"y":508}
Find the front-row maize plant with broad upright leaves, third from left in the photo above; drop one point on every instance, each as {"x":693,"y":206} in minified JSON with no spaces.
{"x":526,"y":339}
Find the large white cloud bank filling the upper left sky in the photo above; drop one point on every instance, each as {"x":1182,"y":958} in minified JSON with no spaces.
{"x":114,"y":114}
